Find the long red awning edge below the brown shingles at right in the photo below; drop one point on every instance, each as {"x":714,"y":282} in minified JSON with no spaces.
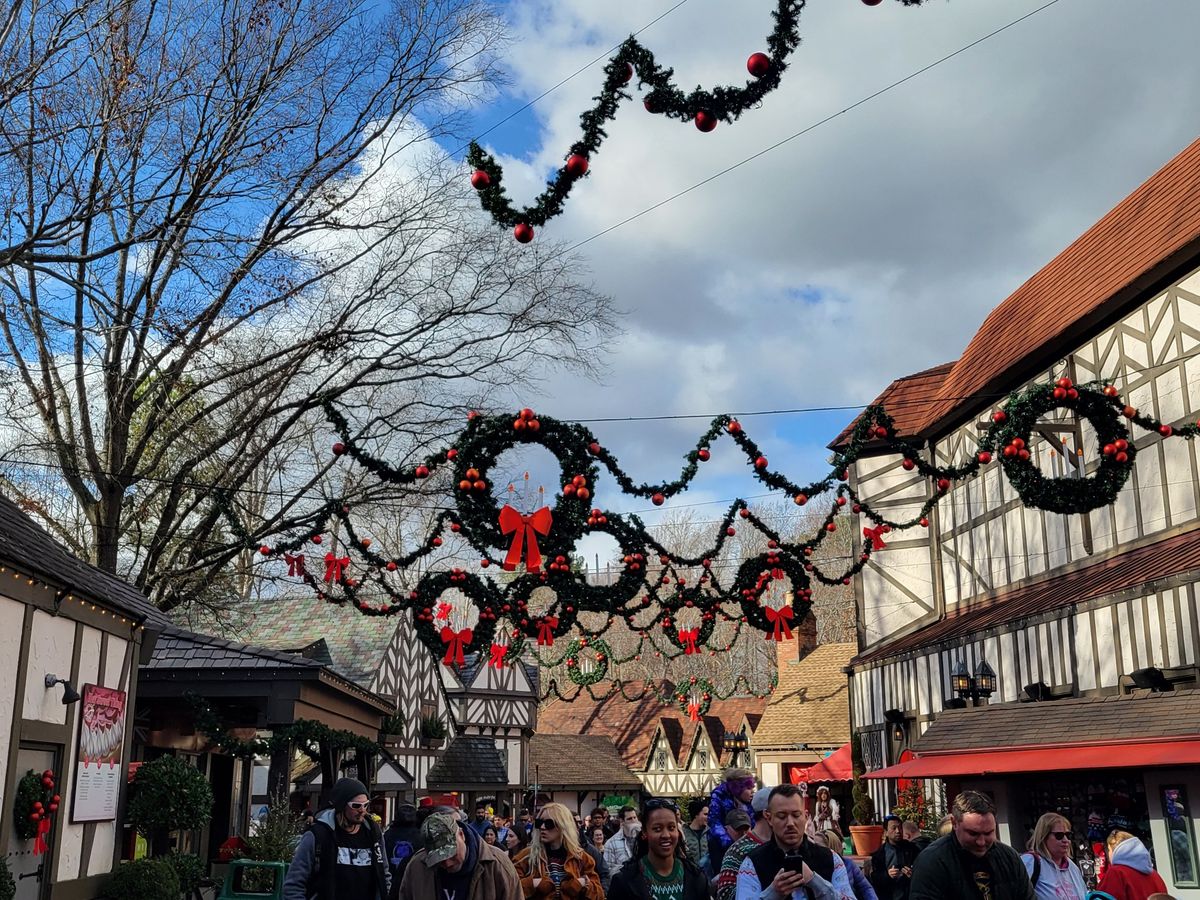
{"x":1113,"y":755}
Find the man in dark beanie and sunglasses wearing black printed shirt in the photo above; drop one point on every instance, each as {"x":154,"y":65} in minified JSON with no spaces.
{"x":343,"y":855}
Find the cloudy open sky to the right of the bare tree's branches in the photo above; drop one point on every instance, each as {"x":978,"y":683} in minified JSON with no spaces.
{"x":872,"y":247}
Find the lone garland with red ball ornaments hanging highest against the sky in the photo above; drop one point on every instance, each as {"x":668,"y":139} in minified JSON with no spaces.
{"x":704,"y":107}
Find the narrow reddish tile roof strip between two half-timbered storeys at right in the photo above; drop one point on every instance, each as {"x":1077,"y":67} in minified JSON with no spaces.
{"x":1172,"y":556}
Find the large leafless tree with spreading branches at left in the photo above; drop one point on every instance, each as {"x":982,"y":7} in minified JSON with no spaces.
{"x":220,"y":215}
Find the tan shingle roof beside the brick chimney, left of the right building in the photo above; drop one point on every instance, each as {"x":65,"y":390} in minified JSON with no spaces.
{"x":812,"y":703}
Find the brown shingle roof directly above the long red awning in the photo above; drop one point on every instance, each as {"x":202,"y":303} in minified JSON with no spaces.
{"x":1077,"y":721}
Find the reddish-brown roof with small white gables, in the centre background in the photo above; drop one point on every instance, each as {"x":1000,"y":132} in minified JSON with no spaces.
{"x":632,"y":725}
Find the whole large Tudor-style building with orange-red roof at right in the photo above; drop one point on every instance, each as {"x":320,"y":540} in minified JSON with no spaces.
{"x":1082,"y":614}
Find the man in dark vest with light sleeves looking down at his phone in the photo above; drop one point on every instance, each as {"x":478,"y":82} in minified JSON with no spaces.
{"x":790,"y":867}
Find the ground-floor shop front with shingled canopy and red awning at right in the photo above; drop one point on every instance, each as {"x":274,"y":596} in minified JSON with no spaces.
{"x":1130,"y":764}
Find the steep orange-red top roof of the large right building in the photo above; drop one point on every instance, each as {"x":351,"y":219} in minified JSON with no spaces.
{"x":1147,"y":237}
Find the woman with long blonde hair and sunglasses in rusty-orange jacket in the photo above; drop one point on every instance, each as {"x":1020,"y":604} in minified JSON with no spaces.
{"x":555,"y":866}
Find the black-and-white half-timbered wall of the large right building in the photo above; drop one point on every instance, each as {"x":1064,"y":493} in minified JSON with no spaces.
{"x":983,"y":539}
